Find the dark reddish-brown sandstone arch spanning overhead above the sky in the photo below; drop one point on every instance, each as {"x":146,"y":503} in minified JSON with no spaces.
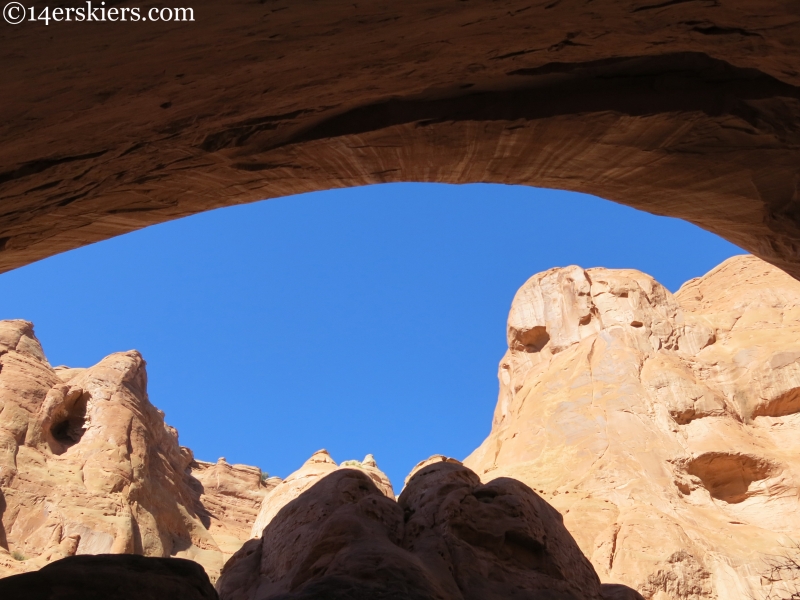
{"x":686,"y":108}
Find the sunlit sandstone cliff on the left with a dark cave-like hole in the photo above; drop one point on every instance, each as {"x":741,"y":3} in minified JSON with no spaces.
{"x":88,"y":466}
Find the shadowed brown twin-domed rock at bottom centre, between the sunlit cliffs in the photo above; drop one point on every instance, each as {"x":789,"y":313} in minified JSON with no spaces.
{"x":448,"y":537}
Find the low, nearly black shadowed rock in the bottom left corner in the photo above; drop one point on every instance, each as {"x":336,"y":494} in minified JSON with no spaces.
{"x":111,"y":577}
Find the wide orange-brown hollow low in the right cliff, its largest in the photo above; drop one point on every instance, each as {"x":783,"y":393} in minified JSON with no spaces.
{"x":727,"y":477}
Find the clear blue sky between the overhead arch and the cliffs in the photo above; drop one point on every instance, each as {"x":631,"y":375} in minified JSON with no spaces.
{"x":365,"y":320}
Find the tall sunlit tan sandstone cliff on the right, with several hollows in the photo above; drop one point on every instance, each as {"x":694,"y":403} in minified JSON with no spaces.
{"x":665,"y":428}
